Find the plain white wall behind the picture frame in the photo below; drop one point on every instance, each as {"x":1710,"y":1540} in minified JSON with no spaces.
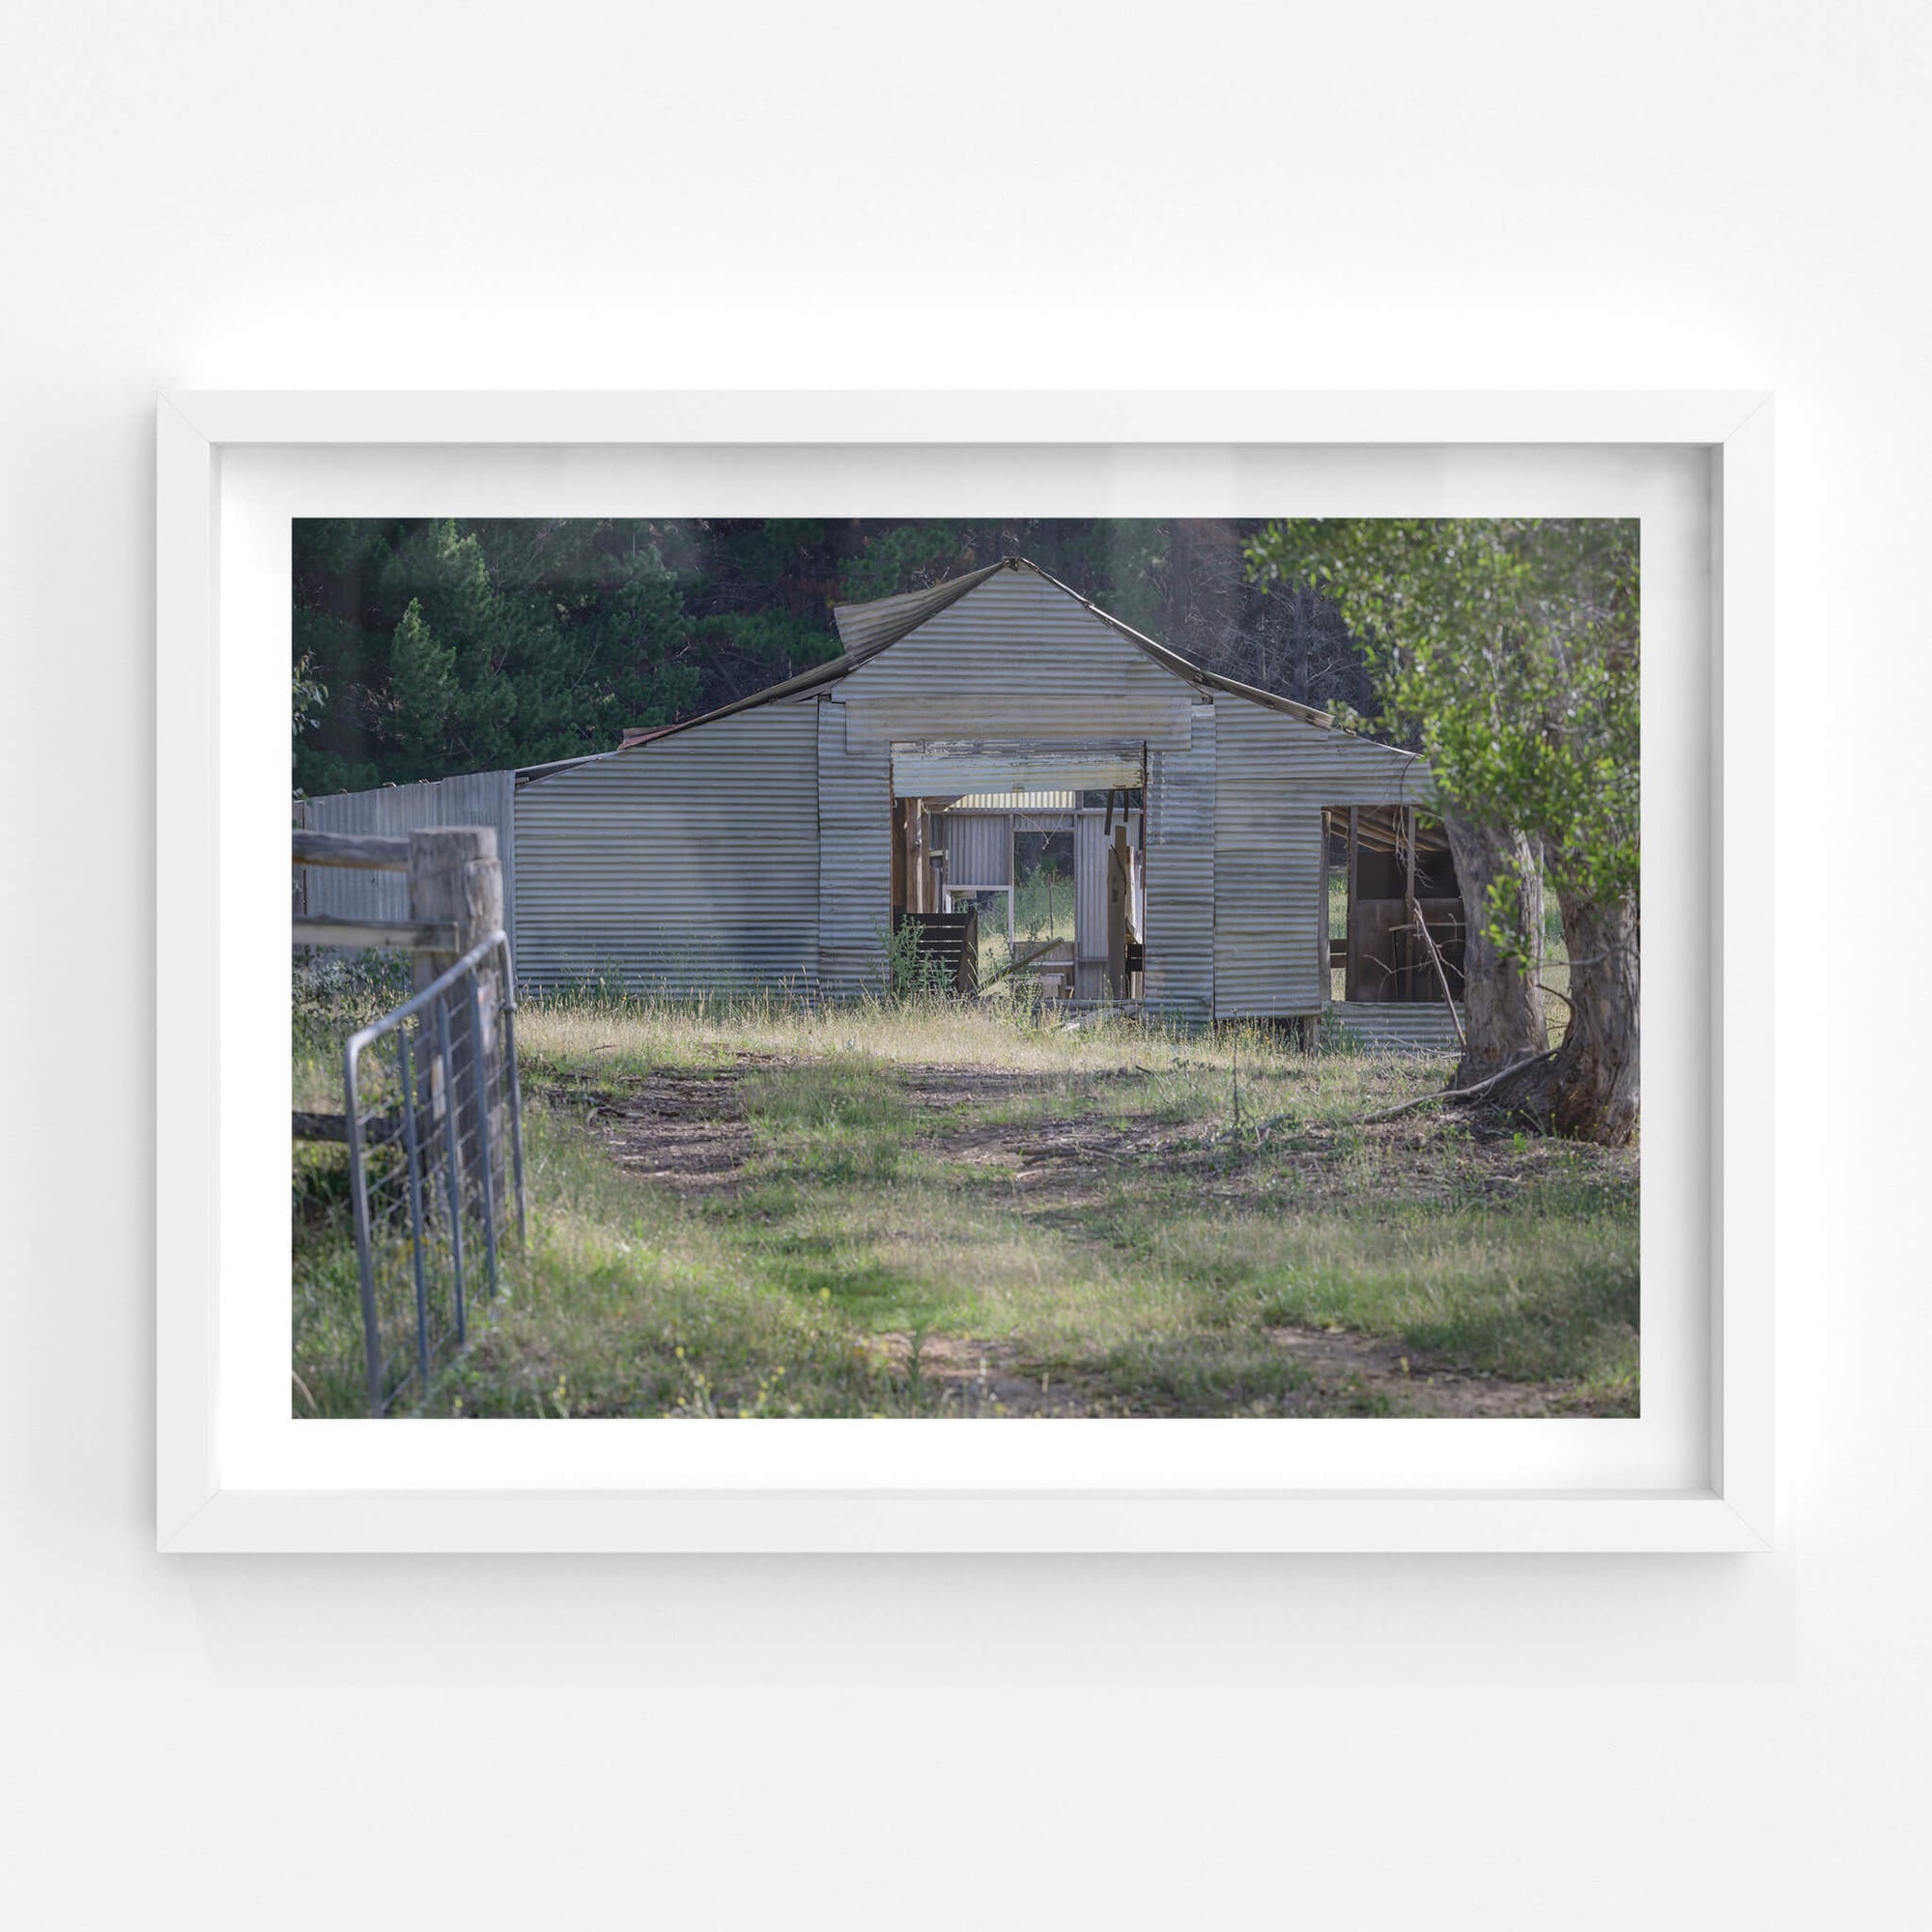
{"x":389,"y":196}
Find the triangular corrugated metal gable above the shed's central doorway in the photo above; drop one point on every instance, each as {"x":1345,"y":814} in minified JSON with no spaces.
{"x":1017,"y":658}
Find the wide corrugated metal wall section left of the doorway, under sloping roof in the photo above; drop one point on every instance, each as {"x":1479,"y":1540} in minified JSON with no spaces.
{"x":687,"y":865}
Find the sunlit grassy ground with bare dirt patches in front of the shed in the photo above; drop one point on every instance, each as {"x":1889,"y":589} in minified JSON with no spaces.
{"x":751,"y":1208}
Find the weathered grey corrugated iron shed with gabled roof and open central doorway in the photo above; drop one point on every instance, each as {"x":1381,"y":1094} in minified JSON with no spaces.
{"x":756,"y":845}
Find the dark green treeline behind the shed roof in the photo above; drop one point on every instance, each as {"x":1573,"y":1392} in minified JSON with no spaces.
{"x":432,"y":648}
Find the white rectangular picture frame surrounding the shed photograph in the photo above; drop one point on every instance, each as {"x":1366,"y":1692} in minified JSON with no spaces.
{"x":861,"y":1496}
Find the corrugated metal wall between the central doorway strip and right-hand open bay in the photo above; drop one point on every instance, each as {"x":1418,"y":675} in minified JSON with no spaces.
{"x":1272,"y":780}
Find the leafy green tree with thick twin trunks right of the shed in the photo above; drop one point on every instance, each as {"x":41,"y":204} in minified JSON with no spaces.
{"x":1508,"y":648}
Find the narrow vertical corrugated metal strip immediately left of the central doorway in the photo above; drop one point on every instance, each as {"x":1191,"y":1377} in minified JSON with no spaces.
{"x":855,"y":822}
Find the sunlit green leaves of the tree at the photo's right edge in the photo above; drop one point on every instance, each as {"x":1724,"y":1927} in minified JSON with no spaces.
{"x":1508,"y":650}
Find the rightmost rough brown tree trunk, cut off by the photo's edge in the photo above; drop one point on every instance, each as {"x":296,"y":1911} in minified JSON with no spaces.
{"x":1589,"y":1091}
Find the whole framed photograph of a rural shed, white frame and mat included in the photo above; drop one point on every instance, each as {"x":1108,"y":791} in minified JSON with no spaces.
{"x":946,"y":973}
